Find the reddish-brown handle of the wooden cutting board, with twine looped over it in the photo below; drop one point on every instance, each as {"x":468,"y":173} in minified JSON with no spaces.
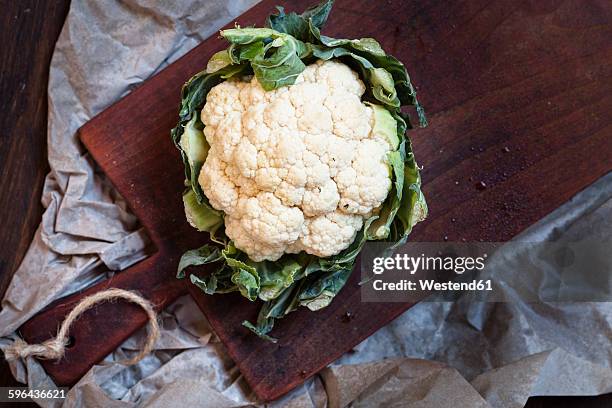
{"x":103,"y":328}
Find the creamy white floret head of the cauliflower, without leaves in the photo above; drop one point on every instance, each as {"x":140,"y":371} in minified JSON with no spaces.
{"x":297,"y":168}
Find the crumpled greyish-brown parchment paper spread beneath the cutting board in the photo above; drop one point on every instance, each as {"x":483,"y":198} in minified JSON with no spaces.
{"x":435,"y":355}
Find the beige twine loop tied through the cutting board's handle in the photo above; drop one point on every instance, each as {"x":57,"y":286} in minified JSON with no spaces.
{"x":55,"y":348}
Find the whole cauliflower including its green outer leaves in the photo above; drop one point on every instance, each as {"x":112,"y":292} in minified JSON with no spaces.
{"x":300,"y":165}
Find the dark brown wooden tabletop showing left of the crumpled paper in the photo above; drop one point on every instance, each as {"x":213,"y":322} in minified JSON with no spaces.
{"x":28,"y":30}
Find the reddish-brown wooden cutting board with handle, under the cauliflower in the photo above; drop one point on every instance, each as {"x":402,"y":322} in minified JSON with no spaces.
{"x":518,"y":94}
